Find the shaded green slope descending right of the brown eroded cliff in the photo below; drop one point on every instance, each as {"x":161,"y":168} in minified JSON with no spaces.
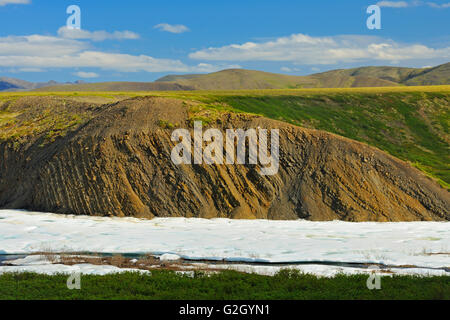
{"x":411,"y":126}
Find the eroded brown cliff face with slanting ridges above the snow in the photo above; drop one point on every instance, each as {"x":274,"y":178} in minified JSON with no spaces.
{"x":118,"y":163}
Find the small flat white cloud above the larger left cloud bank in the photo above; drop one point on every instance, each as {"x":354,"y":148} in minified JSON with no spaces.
{"x":78,"y":34}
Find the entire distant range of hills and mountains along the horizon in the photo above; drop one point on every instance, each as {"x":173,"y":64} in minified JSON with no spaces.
{"x":235,"y":79}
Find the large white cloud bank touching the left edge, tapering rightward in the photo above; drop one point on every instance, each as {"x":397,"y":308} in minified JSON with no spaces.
{"x":44,"y":52}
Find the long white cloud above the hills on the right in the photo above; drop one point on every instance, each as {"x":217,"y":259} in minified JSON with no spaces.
{"x":306,"y":50}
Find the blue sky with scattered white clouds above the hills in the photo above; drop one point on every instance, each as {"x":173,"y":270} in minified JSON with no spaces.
{"x":144,"y":40}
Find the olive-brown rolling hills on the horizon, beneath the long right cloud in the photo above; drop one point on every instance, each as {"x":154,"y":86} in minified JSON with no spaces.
{"x":235,"y":79}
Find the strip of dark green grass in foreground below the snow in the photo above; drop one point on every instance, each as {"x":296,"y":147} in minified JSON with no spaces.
{"x":226,"y":285}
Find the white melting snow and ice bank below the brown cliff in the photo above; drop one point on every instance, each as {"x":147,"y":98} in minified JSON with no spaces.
{"x":417,"y":245}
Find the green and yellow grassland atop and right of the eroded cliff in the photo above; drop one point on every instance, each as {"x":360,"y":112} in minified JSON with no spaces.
{"x":411,"y":123}
